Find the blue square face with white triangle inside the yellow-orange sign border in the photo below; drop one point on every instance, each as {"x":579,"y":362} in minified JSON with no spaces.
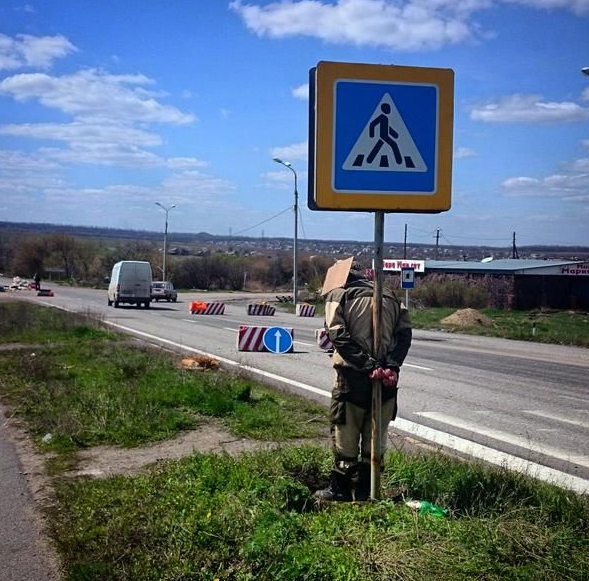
{"x":385,"y":137}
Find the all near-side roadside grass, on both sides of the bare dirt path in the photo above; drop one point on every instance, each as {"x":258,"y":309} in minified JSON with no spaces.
{"x":210,"y":517}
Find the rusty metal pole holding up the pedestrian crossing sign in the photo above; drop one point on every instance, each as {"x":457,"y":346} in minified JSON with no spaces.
{"x":375,"y":447}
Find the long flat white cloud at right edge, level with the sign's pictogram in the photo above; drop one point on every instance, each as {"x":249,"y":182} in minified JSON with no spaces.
{"x":529,"y":109}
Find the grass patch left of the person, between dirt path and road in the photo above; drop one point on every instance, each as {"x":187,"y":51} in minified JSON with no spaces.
{"x":86,"y":389}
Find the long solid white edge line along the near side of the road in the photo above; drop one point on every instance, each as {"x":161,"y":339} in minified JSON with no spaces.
{"x":435,"y":436}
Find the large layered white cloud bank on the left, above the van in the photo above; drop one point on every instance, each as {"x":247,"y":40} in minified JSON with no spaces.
{"x":111,"y":114}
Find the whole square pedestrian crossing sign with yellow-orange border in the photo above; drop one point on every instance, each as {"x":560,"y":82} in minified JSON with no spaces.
{"x":380,"y":137}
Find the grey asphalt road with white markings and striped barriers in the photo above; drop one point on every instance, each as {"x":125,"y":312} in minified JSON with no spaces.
{"x":518,"y":404}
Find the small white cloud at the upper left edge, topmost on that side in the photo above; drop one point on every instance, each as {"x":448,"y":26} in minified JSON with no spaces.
{"x":32,"y":51}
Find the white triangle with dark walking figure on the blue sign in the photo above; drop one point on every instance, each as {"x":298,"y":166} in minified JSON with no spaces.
{"x":385,"y":143}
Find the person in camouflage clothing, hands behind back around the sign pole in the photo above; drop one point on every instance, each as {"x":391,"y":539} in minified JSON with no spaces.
{"x":348,"y":323}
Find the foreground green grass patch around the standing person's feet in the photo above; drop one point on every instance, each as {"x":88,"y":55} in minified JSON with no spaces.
{"x":210,"y":517}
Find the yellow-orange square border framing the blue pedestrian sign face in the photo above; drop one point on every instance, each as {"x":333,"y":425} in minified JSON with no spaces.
{"x":327,"y":73}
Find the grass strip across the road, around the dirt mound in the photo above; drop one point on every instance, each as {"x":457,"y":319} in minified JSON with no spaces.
{"x":557,"y":327}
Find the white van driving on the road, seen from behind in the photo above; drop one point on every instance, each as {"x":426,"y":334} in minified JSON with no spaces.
{"x":130,"y":282}
